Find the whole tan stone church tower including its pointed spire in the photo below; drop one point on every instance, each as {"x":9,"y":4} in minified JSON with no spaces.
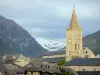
{"x":73,"y":39}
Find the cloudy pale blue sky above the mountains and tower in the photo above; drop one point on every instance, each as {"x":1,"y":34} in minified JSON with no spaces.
{"x":50,"y":18}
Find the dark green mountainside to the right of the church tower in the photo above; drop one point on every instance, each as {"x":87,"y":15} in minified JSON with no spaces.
{"x":93,"y":42}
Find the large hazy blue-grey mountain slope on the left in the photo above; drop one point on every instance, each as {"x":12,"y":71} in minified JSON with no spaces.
{"x":15,"y":39}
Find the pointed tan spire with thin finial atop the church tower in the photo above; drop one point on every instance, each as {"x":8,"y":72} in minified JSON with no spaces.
{"x":74,"y":22}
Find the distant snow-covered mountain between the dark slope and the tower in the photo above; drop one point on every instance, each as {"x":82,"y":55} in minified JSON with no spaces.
{"x":49,"y":44}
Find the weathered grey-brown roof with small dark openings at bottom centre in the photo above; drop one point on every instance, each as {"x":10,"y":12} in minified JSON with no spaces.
{"x":41,"y":67}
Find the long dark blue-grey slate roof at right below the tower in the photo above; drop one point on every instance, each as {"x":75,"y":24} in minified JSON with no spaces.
{"x":84,"y":62}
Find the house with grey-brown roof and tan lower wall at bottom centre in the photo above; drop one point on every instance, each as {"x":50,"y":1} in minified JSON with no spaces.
{"x":41,"y":69}
